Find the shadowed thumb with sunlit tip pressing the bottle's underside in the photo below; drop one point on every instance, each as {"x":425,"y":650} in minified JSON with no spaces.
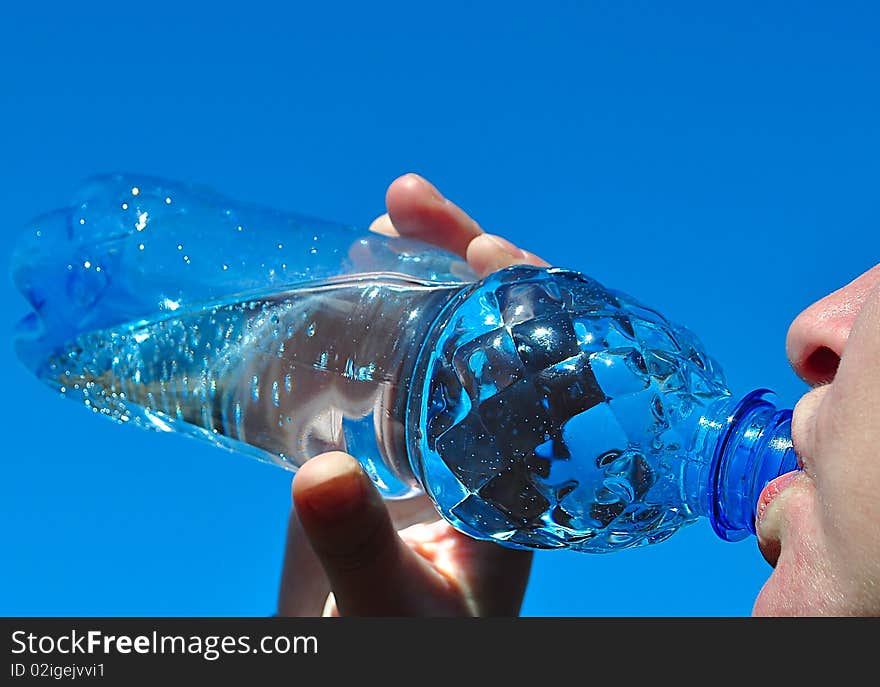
{"x":372,"y":572}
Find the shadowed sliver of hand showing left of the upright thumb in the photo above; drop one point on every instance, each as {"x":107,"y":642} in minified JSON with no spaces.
{"x":304,"y":585}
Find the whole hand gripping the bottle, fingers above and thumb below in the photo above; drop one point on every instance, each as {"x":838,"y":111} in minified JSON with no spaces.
{"x":343,"y":537}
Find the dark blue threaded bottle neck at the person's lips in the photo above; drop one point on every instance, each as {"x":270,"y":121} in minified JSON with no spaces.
{"x":745,"y":445}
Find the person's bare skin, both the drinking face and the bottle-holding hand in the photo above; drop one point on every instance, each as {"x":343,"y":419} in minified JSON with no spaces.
{"x":819,"y":527}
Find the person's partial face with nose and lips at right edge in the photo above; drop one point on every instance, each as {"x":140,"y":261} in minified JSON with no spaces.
{"x":821,"y":530}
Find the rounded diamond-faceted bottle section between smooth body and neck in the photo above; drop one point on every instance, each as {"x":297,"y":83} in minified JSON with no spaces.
{"x":556,"y":413}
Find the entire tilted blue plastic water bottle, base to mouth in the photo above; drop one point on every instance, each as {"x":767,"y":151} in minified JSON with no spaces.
{"x":535,"y":407}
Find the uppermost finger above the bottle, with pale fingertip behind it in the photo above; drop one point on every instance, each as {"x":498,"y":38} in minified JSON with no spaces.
{"x":416,"y":209}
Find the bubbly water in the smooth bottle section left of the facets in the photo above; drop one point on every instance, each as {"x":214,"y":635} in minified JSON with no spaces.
{"x":282,"y":377}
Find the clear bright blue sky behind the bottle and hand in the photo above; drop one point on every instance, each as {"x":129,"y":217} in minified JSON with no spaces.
{"x":719,"y":163}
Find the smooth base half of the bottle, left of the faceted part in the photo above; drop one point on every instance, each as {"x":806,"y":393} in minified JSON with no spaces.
{"x":168,"y":305}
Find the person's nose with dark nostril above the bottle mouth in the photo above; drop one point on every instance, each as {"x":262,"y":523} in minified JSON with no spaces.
{"x":818,"y":335}
